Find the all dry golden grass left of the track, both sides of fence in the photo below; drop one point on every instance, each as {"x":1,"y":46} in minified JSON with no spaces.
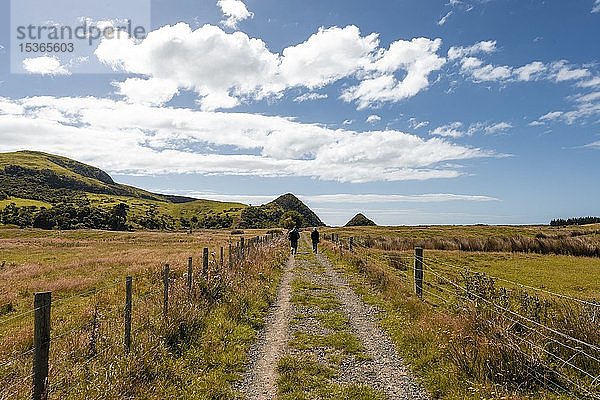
{"x":86,"y":272}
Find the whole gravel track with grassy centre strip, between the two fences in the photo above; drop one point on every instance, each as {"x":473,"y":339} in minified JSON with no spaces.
{"x":315,"y":308}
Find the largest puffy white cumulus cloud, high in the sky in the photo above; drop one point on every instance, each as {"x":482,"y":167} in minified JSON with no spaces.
{"x":225,"y":69}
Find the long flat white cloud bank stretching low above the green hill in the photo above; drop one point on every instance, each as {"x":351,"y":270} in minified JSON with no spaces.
{"x":175,"y":140}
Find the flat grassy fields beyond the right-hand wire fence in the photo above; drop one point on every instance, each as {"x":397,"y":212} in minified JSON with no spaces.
{"x":570,"y":275}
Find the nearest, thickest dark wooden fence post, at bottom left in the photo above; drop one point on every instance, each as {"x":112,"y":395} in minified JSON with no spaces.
{"x":41,"y":341}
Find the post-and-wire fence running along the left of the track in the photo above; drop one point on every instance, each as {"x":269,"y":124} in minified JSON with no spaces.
{"x":93,"y":333}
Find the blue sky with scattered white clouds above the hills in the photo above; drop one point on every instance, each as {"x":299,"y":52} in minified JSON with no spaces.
{"x":411,"y":112}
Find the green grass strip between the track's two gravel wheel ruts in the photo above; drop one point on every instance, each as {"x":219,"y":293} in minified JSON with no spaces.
{"x":312,"y":369}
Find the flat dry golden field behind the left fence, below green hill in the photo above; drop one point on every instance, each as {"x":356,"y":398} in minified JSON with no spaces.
{"x":68,"y":262}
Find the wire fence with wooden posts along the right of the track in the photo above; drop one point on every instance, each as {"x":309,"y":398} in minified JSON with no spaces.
{"x":560,"y":351}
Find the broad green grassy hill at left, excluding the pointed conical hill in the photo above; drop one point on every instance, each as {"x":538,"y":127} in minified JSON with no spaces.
{"x":32,"y":180}
